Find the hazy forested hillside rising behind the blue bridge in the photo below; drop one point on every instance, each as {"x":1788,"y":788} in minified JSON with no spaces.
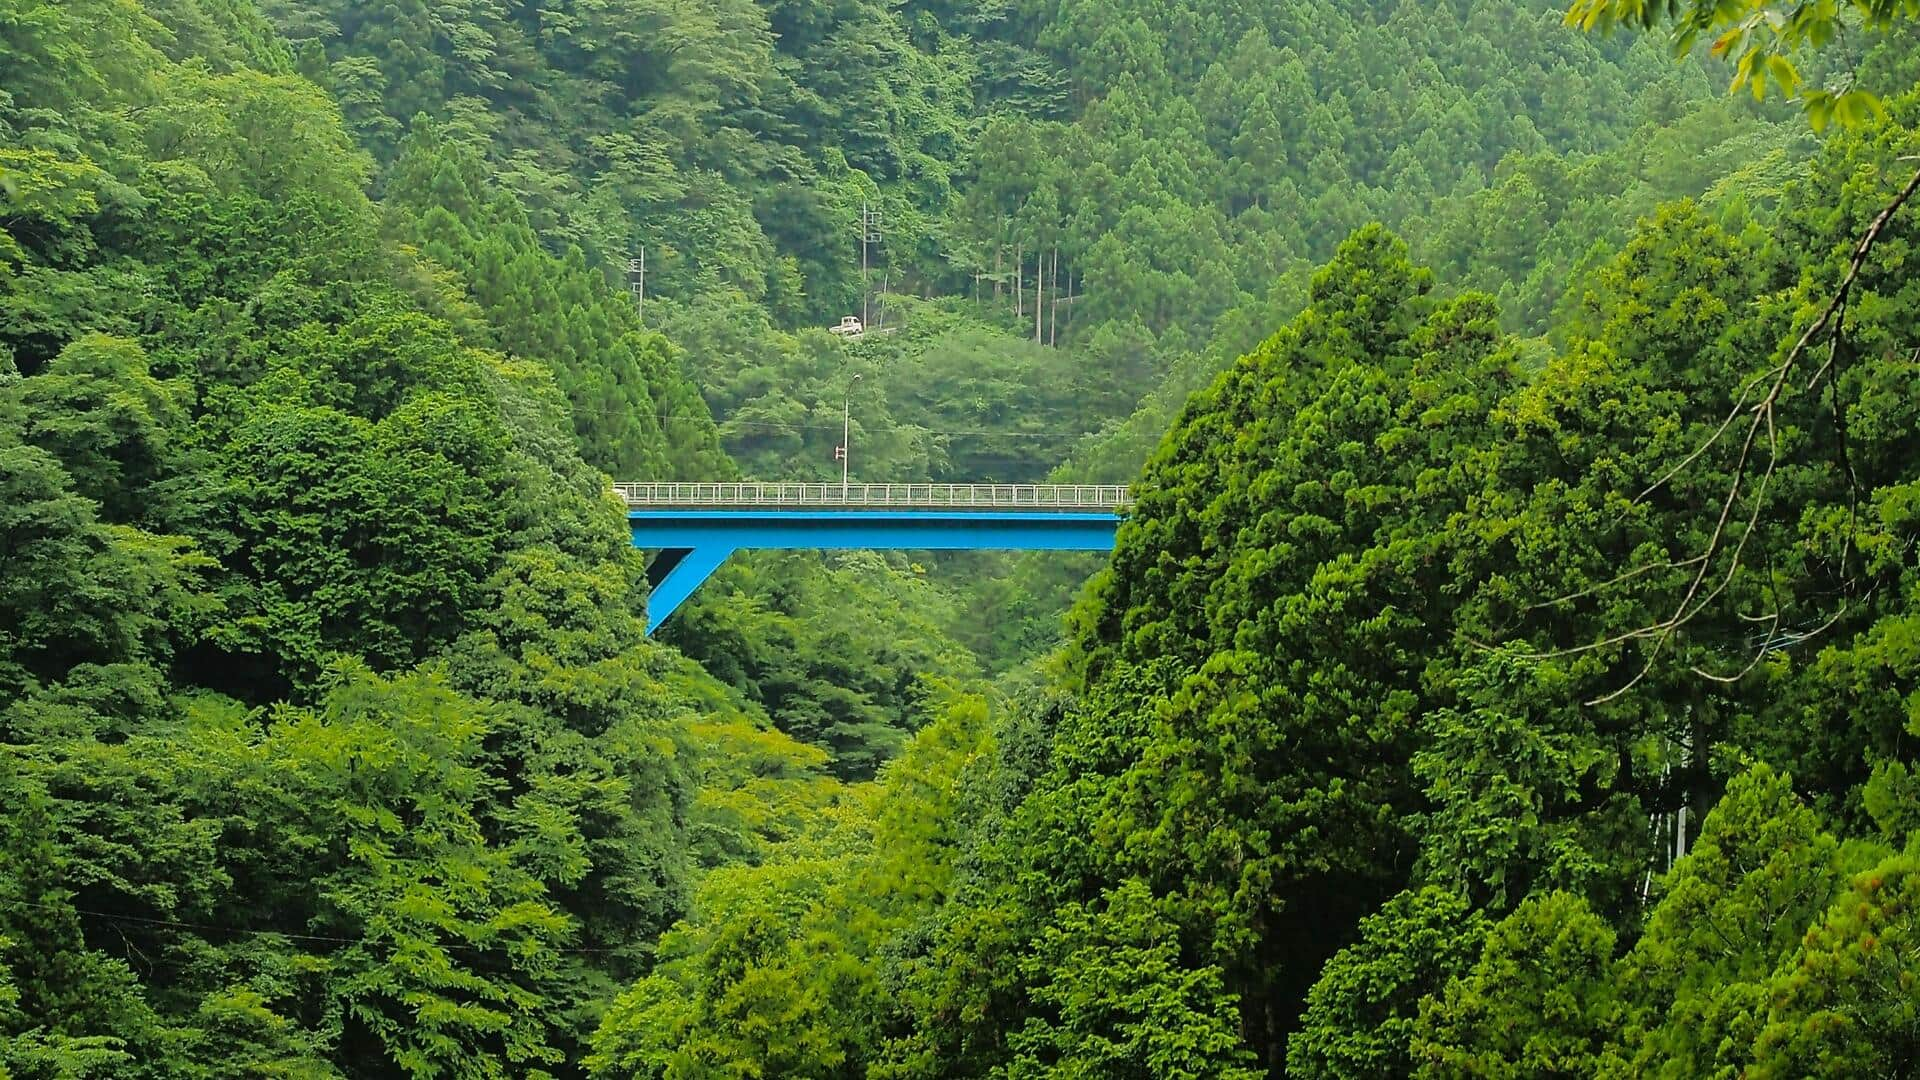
{"x":1116,"y":184}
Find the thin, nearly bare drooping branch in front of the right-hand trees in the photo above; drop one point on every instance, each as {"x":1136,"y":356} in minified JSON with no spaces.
{"x":1702,"y":593}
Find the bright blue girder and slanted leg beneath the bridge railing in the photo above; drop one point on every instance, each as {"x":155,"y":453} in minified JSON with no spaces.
{"x":694,"y":543}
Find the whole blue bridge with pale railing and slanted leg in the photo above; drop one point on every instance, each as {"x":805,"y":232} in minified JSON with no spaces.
{"x":696,"y":528}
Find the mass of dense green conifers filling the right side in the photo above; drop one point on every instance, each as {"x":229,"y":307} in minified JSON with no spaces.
{"x":1303,"y":687}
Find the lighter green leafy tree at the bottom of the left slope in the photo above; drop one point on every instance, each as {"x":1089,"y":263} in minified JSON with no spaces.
{"x":452,"y":939}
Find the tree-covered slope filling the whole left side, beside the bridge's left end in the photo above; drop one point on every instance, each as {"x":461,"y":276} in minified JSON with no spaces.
{"x":331,"y":743}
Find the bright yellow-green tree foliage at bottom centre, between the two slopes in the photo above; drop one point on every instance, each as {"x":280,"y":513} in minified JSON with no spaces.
{"x":779,"y":971}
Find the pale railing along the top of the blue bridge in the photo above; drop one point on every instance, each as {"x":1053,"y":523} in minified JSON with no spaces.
{"x":928,"y":497}
